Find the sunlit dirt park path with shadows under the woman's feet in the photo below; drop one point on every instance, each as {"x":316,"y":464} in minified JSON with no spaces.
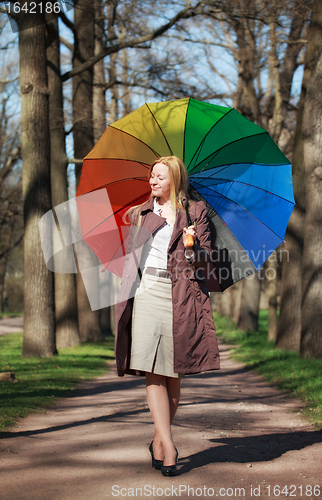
{"x":237,"y":438}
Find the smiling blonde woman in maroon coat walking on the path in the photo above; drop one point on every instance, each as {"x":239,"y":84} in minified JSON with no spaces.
{"x":167,"y":330}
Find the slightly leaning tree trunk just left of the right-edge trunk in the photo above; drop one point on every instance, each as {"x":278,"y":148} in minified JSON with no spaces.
{"x":289,"y":325}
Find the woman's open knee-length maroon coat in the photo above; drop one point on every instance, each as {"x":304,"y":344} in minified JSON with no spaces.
{"x":194,"y":337}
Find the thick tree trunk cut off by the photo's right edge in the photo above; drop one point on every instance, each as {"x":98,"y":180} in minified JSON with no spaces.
{"x":311,"y":332}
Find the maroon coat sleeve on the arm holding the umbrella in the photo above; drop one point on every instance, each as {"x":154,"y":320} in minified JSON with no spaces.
{"x":201,"y":251}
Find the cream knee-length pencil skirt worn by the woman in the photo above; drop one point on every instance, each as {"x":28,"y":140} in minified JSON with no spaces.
{"x":152,"y":338}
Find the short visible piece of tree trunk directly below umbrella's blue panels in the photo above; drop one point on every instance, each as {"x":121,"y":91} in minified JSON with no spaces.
{"x":249,"y":307}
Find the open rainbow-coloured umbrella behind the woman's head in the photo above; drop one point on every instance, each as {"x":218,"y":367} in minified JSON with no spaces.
{"x":234,"y":166}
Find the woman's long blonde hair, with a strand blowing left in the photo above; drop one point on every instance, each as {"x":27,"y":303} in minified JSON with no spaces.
{"x":179,"y":183}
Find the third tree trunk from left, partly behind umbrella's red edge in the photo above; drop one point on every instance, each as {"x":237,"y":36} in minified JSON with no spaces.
{"x":88,"y":320}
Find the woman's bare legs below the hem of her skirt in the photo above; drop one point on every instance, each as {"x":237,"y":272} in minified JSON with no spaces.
{"x":163,"y":399}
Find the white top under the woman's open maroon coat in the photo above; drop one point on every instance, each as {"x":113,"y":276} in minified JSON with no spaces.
{"x":155,"y":250}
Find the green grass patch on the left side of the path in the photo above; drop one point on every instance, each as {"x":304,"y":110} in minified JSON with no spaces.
{"x":41,"y":380}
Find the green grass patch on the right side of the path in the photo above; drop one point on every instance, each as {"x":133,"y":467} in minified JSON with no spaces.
{"x":300,"y":377}
